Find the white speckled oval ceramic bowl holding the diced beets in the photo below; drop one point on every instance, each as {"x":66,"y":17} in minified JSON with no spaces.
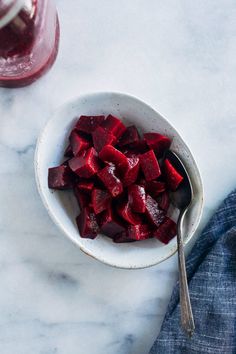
{"x":62,"y":206}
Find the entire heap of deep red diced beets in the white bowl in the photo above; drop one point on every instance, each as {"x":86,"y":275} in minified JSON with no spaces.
{"x":121,"y":180}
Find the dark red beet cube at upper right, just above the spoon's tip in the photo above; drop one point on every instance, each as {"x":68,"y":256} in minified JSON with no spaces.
{"x":157,"y":142}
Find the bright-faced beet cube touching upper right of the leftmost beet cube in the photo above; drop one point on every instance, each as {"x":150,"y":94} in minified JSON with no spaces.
{"x":86,"y":164}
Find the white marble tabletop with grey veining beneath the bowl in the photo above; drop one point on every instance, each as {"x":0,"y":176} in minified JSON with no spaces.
{"x":180,"y":57}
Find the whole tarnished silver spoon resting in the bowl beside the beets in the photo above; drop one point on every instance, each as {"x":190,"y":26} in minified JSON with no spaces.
{"x":182,"y":199}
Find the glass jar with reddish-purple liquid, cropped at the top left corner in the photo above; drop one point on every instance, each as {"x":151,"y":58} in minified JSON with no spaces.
{"x":29,"y":38}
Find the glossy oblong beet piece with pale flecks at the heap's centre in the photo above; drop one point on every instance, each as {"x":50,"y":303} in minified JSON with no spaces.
{"x":110,"y":180}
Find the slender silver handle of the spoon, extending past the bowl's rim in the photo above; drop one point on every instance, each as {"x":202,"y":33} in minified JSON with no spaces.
{"x":187,"y":320}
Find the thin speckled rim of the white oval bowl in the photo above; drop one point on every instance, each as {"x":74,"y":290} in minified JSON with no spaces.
{"x":60,"y":225}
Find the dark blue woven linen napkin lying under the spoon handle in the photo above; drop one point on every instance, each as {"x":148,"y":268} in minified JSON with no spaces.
{"x":211,"y":269}
